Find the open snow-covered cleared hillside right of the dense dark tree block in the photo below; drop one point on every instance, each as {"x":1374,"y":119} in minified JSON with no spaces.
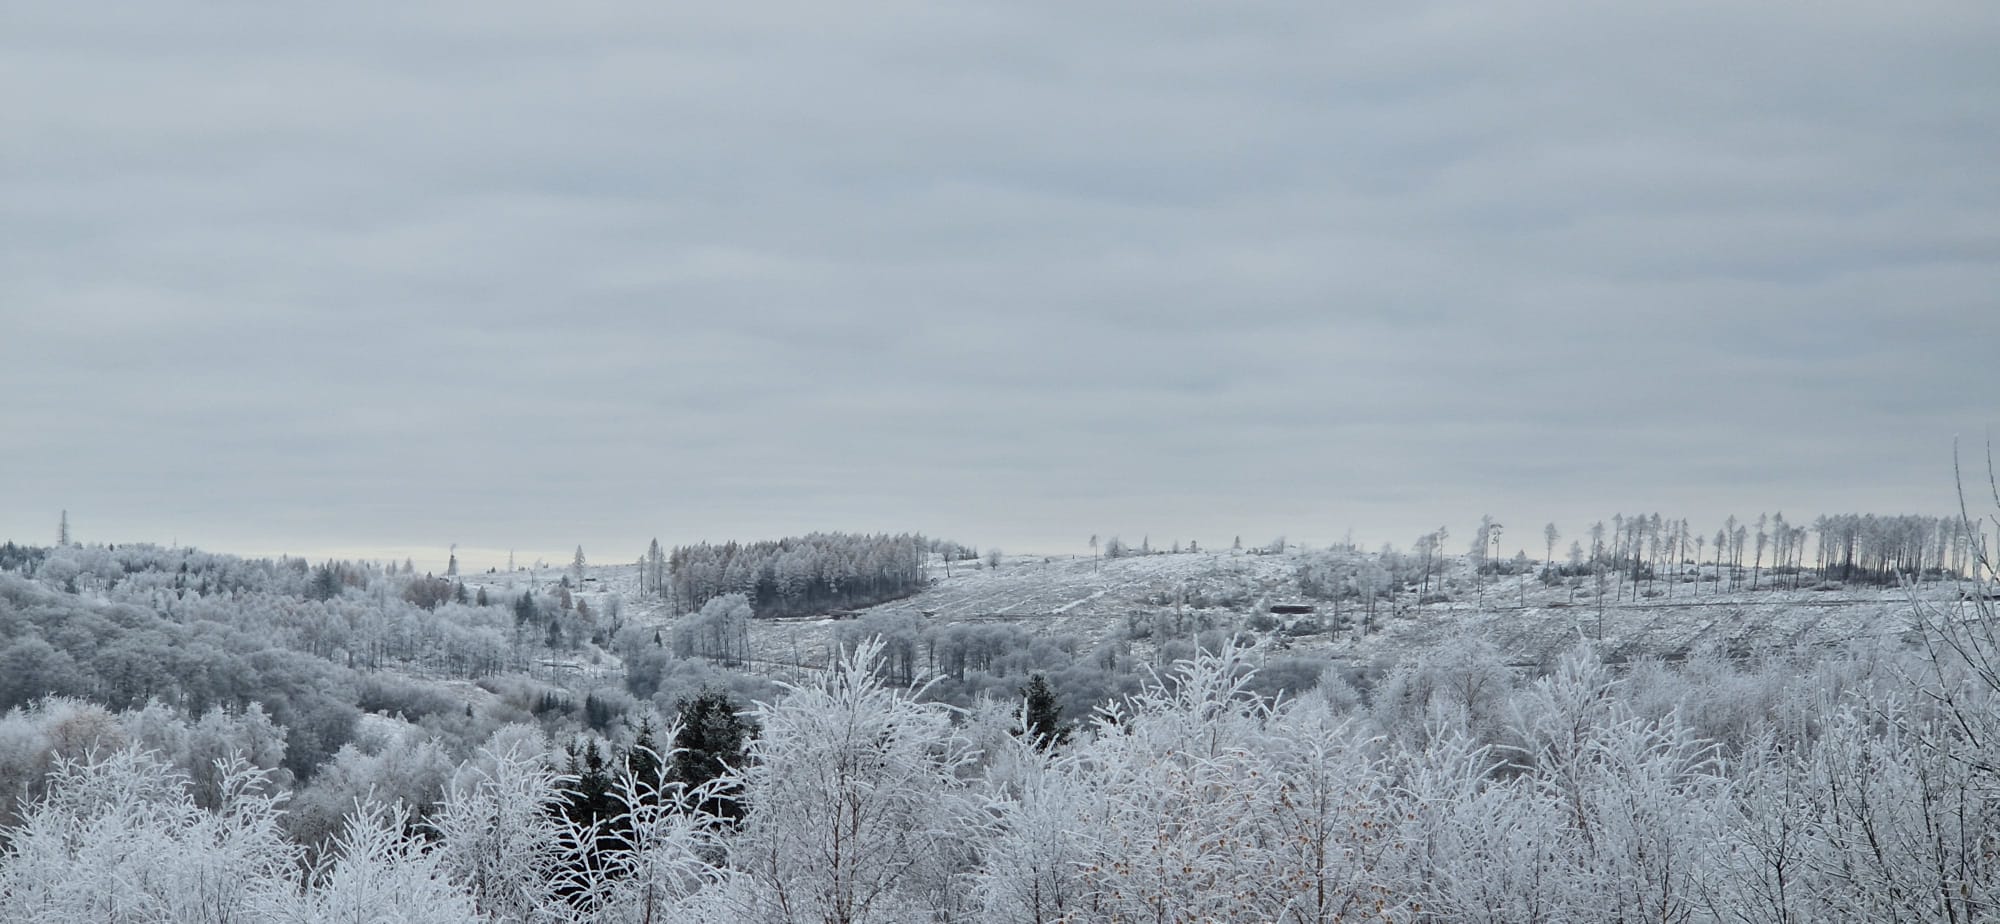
{"x":1531,"y":623}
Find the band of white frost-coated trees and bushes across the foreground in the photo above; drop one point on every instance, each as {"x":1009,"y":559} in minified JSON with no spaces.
{"x":1865,"y":793}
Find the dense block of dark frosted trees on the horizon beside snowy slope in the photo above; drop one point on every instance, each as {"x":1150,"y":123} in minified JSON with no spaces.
{"x":805,"y":575}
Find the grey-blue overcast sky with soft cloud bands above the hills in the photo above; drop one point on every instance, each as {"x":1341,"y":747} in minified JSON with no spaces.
{"x":375,"y":279}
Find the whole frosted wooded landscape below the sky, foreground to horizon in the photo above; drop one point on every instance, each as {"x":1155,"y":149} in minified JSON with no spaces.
{"x":1273,"y":735}
